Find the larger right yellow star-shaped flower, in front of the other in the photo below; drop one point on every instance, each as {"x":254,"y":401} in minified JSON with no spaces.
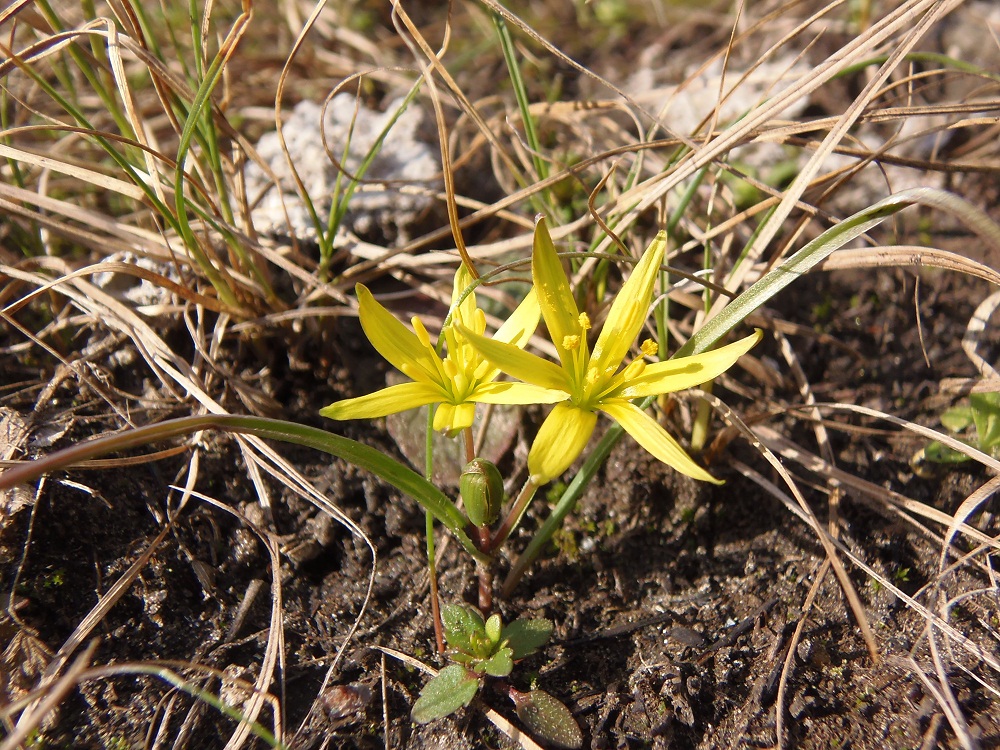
{"x":595,"y":380}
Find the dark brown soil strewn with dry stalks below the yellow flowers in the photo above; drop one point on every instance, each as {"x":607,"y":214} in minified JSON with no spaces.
{"x":686,"y":615}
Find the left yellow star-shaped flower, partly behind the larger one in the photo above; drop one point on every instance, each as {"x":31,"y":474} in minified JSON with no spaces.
{"x":457,"y":382}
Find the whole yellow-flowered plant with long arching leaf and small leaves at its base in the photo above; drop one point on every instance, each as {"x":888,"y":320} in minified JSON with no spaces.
{"x":453,"y":372}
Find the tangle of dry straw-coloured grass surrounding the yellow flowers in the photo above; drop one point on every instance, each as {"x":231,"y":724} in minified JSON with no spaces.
{"x":137,"y":286}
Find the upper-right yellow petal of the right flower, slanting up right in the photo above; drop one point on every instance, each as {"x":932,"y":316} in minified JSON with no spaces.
{"x":629,"y":310}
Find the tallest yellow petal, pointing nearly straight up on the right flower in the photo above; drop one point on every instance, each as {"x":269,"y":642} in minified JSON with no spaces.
{"x":555,"y":297}
